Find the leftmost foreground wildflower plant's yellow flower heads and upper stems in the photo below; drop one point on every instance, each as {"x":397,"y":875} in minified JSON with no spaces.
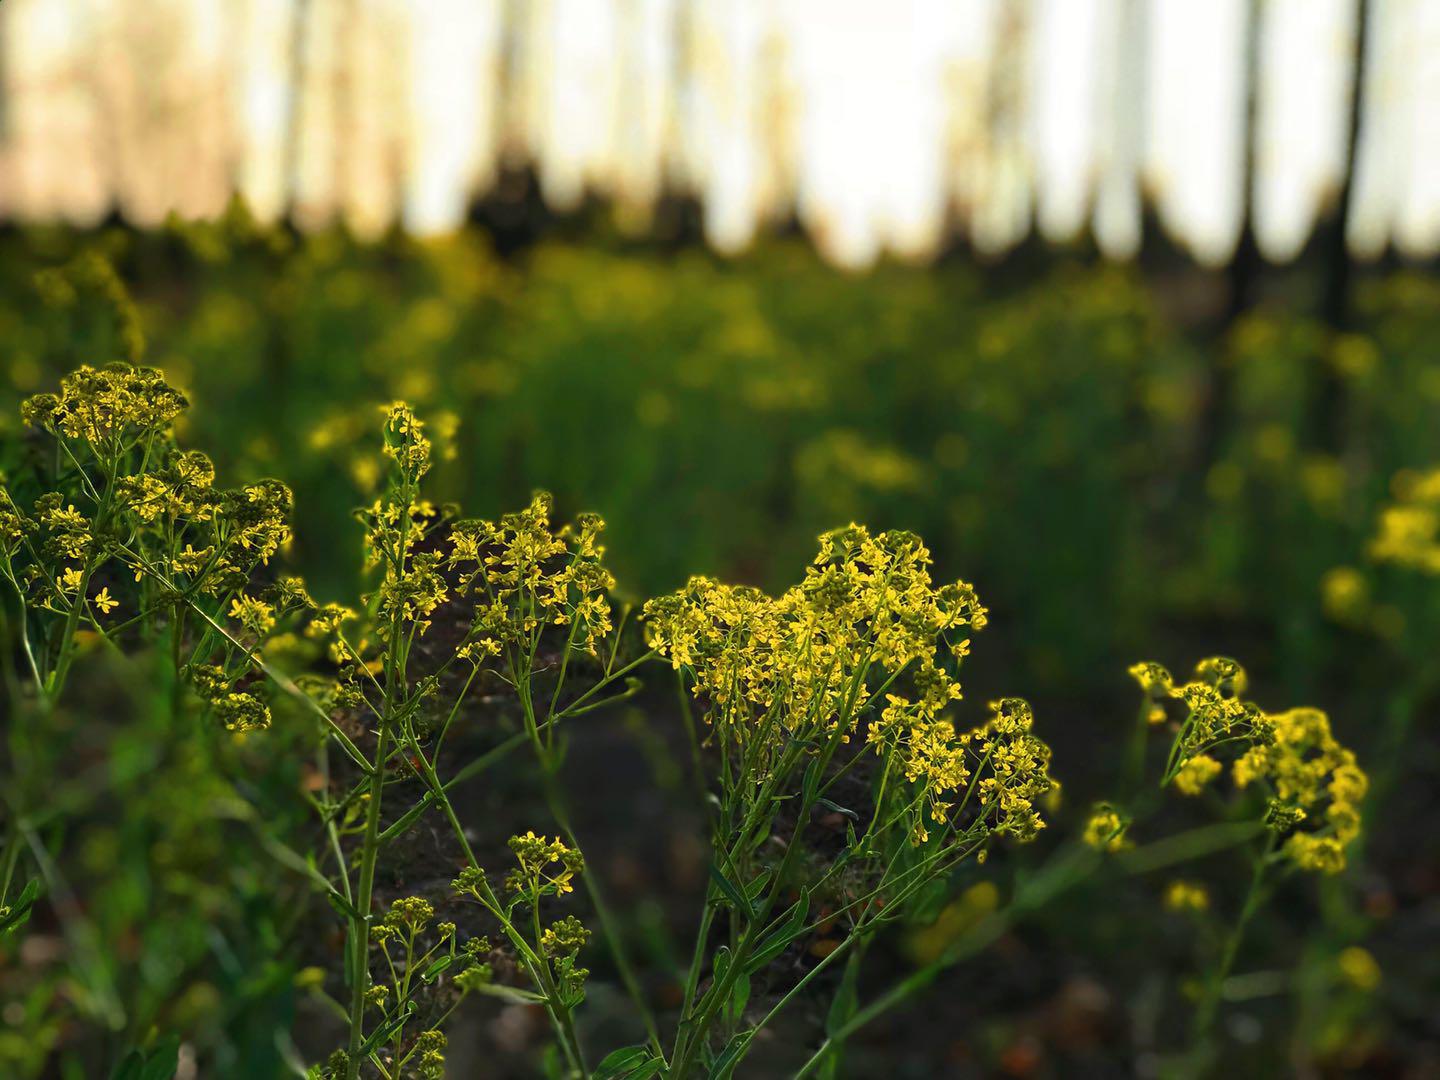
{"x":122,"y":529}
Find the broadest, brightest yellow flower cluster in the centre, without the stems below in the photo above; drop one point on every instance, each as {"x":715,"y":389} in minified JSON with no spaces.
{"x":796,"y":667}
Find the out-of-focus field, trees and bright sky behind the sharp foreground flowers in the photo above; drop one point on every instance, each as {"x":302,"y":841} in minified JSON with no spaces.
{"x":1130,"y":307}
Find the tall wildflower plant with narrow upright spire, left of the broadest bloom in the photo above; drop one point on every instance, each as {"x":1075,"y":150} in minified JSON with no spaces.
{"x":503,"y":588}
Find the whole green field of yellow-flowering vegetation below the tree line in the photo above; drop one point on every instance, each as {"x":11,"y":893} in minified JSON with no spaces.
{"x":263,"y":827}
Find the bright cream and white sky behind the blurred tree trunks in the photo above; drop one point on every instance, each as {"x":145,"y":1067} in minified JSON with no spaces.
{"x":888,"y":126}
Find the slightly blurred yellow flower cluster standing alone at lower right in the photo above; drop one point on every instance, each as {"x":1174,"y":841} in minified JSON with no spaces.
{"x":1315,"y":784}
